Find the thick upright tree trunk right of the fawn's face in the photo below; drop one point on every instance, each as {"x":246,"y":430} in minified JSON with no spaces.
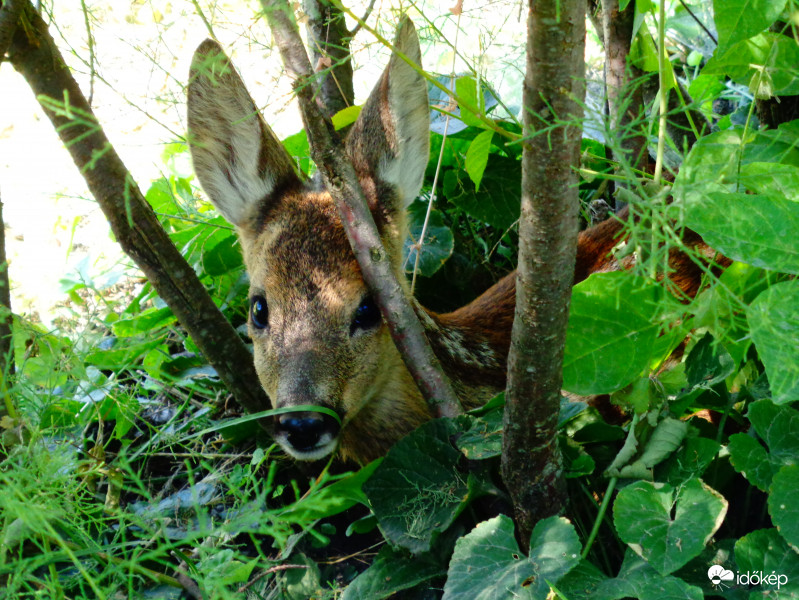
{"x":553,"y":96}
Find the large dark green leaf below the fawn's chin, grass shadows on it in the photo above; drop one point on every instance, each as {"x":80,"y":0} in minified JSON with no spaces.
{"x":417,"y":492}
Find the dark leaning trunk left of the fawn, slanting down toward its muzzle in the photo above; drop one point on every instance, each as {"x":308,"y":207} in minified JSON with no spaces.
{"x":35,"y":55}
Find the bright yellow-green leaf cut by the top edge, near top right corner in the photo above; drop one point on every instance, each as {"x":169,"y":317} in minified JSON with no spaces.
{"x":737,"y":20}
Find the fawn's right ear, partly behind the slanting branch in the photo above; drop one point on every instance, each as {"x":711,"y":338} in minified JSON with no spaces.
{"x":390,"y":141}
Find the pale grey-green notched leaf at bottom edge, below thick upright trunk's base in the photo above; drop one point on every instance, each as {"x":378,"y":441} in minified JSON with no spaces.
{"x":488,"y":565}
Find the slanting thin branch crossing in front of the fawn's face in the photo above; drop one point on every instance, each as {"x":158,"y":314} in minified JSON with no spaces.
{"x":342,"y":183}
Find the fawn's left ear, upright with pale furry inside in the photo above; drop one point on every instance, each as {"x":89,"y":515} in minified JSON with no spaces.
{"x":238,"y":159}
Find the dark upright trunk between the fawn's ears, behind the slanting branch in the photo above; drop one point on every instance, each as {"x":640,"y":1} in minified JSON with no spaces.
{"x":329,"y":42}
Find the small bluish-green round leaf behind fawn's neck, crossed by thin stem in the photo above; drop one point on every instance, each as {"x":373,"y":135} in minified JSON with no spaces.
{"x":438,"y":241}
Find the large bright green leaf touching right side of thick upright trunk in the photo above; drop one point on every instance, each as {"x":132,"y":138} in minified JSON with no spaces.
{"x":611,"y":333}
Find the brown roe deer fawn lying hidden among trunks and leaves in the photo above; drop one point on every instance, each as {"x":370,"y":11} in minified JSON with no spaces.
{"x":318,"y":337}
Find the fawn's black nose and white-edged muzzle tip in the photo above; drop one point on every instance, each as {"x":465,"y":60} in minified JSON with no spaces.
{"x":307,"y":435}
